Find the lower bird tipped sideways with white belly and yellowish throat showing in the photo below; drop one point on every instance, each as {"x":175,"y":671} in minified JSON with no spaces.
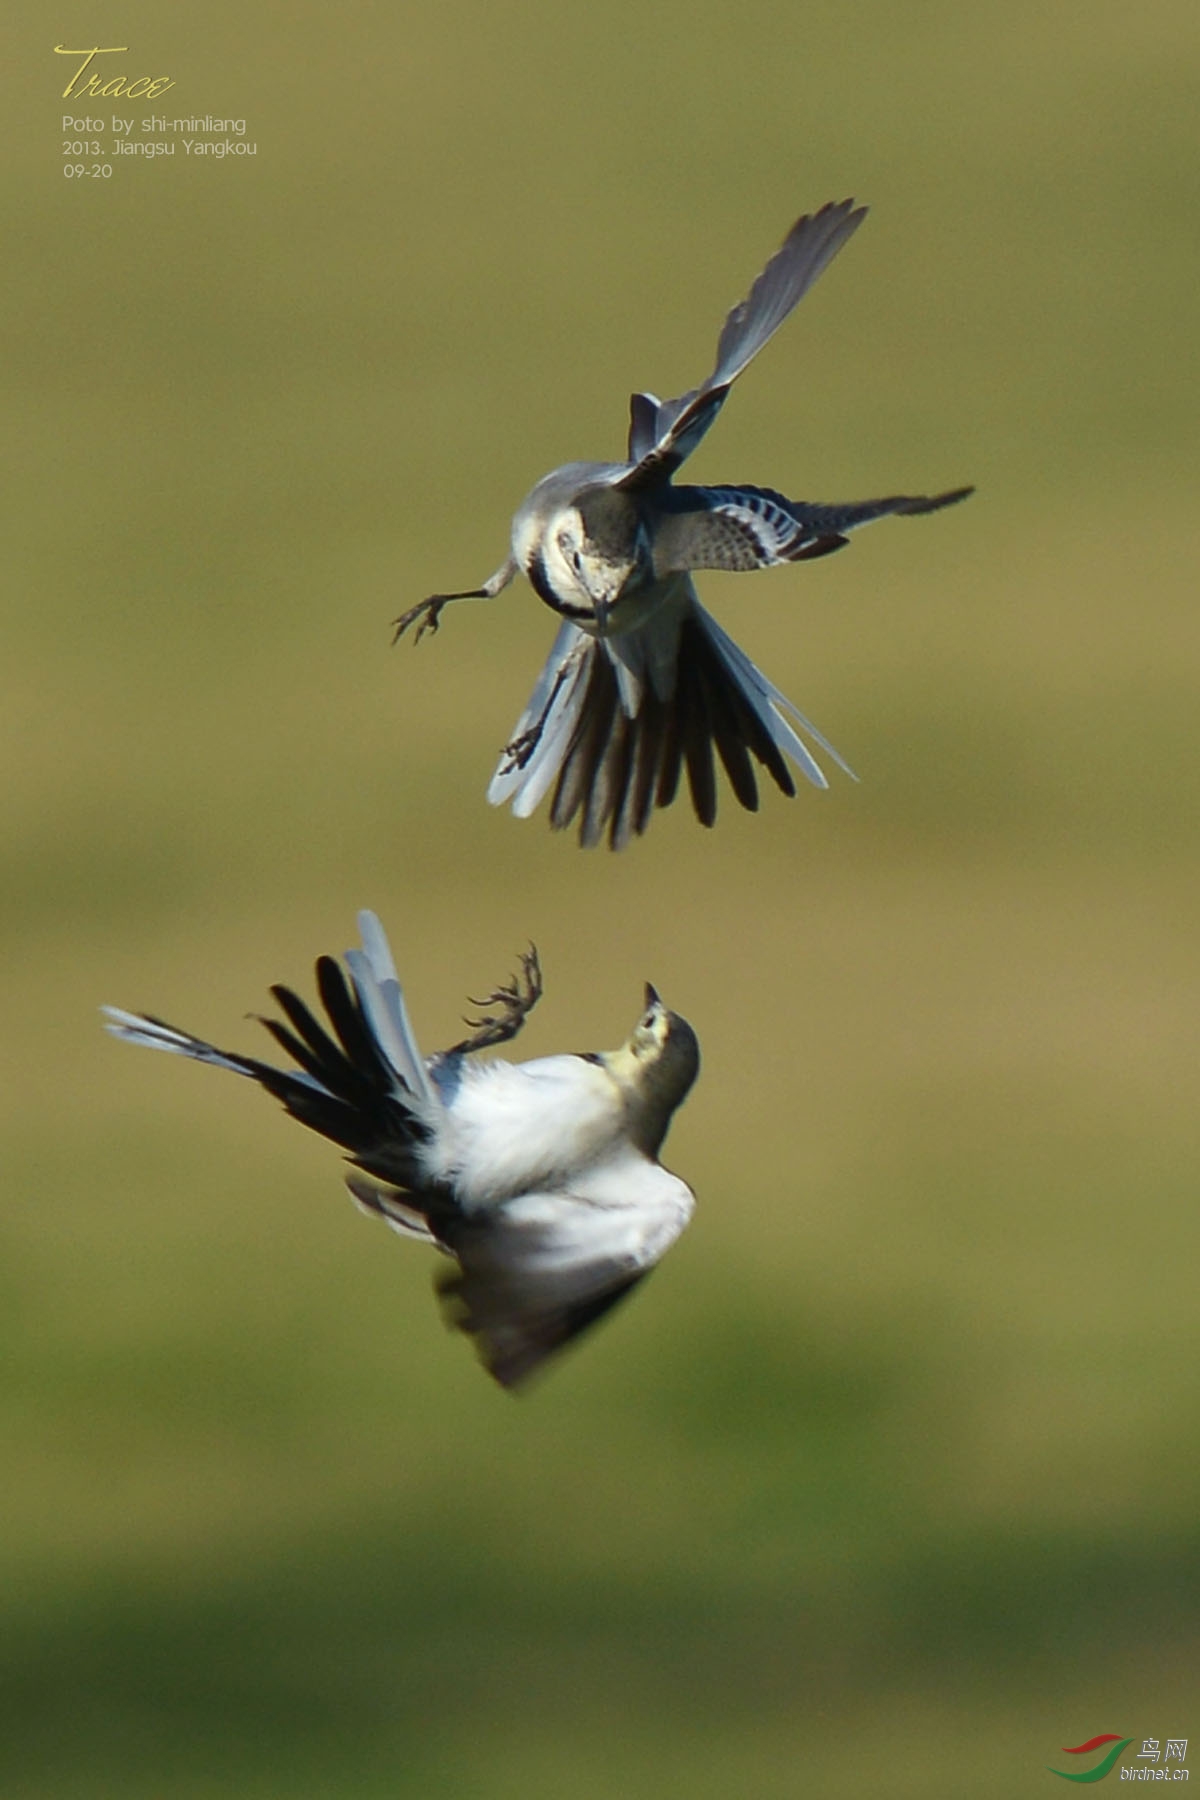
{"x":541,"y":1180}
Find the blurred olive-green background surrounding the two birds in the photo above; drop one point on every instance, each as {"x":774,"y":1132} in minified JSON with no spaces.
{"x":890,"y":1480}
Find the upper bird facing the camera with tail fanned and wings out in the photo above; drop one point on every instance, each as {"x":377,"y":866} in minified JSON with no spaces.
{"x":641,"y":681}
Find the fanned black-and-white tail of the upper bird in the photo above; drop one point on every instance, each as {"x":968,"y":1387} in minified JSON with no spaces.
{"x":614,"y":723}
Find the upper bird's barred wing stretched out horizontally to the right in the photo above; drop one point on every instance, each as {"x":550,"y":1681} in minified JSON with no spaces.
{"x":755,"y":528}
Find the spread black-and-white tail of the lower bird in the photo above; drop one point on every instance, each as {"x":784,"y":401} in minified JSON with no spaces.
{"x":364,"y":1086}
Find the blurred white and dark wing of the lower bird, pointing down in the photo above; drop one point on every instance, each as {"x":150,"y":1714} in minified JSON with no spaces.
{"x":544,"y":1268}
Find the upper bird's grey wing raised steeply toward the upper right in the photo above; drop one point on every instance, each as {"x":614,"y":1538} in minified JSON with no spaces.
{"x":665,"y":433}
